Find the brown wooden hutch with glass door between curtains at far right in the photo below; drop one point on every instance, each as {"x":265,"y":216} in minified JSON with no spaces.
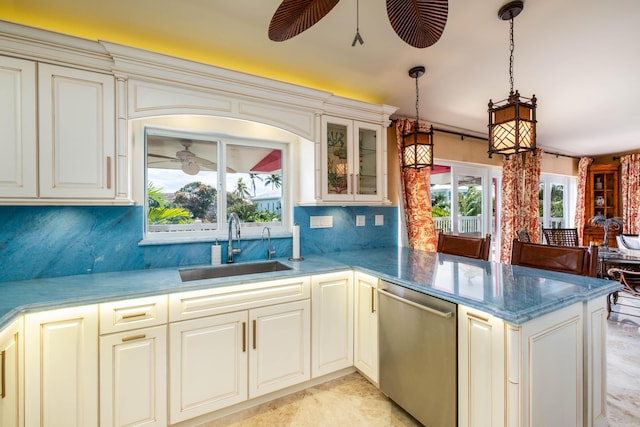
{"x":601,"y":198}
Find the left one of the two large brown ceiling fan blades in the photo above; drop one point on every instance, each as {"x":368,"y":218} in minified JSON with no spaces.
{"x":295,"y":16}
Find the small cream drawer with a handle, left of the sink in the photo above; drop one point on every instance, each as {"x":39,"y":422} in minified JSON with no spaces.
{"x":133,"y":314}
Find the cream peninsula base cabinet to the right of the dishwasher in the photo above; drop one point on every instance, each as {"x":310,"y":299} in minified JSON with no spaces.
{"x":532,"y":374}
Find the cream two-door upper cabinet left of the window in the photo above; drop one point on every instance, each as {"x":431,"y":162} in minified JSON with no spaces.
{"x":71,"y":158}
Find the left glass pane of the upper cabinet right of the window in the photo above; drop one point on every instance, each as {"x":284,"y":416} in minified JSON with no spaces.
{"x":337,"y":162}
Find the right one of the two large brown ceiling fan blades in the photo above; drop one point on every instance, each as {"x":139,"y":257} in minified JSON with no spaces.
{"x":419,"y":23}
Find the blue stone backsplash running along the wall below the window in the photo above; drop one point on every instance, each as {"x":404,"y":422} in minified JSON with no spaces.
{"x":53,"y":241}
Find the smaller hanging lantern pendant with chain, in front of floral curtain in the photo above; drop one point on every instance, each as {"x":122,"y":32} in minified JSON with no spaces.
{"x":417,"y":146}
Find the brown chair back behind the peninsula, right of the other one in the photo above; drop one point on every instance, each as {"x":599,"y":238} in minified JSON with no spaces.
{"x":578,"y":260}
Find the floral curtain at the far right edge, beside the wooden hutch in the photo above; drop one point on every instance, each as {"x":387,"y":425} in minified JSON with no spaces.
{"x":630,"y":178}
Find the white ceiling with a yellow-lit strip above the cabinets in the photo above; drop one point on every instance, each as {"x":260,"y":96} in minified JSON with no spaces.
{"x":579,"y":57}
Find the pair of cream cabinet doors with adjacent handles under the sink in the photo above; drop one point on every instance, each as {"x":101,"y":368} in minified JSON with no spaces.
{"x":220,"y":360}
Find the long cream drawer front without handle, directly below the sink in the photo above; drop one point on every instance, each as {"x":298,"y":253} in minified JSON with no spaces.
{"x":225,"y":299}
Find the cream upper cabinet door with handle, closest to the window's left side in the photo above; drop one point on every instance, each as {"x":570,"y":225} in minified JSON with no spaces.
{"x":76,"y":133}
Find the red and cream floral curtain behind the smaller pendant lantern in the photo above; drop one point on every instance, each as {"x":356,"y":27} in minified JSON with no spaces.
{"x":416,"y":194}
